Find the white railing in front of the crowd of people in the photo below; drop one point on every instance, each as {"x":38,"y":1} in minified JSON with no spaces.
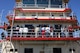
{"x":55,"y":33}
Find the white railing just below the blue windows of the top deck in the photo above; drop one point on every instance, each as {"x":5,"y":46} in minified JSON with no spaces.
{"x":20,"y":5}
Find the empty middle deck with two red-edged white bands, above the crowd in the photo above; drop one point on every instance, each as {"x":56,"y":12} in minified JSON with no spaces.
{"x":43,"y":16}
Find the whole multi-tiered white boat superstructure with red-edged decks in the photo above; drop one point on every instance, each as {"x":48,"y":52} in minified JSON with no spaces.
{"x":41,"y":26}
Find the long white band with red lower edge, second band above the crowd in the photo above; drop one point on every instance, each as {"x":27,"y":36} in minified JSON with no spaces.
{"x":44,"y":17}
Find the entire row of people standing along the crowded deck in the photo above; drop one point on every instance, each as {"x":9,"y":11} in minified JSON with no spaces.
{"x":46,"y":31}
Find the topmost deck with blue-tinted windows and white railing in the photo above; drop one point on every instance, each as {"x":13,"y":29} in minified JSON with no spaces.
{"x":41,"y":4}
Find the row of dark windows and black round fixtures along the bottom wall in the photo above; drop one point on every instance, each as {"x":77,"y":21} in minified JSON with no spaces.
{"x":55,"y":50}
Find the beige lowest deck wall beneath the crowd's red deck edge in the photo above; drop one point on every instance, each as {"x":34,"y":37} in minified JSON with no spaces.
{"x":43,"y":47}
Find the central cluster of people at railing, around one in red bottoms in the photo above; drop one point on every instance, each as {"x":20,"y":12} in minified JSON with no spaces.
{"x":44,"y":31}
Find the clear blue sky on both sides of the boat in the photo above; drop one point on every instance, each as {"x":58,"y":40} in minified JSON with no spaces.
{"x":8,"y":5}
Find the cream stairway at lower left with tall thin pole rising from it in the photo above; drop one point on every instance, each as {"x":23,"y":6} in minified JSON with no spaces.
{"x":7,"y":45}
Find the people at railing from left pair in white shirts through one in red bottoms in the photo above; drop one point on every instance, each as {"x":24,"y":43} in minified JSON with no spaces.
{"x":36,"y":31}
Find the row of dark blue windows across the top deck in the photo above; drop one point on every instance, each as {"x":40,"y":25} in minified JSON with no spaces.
{"x":53,"y":2}
